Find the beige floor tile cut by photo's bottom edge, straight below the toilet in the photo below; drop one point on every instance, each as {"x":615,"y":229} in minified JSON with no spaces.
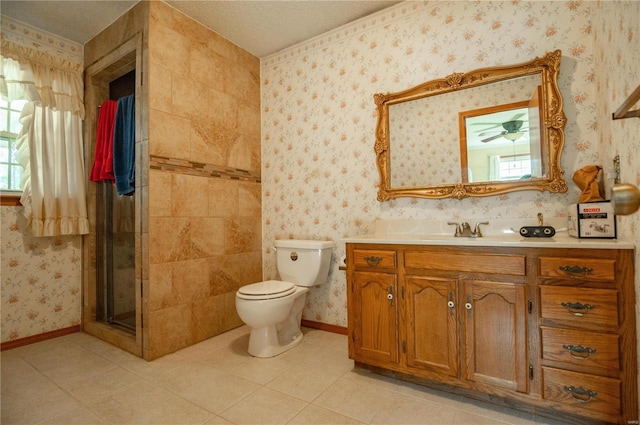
{"x":264,"y":406}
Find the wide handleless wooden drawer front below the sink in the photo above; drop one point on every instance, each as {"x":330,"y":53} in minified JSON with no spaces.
{"x":477,"y":263}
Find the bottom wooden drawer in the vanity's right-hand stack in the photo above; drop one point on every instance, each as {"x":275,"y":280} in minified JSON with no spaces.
{"x":583,"y":391}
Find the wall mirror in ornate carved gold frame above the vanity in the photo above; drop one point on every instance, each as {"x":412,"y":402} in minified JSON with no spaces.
{"x":486,"y":132}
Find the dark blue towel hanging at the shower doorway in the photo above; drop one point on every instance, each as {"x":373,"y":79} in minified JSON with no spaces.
{"x":124,"y":141}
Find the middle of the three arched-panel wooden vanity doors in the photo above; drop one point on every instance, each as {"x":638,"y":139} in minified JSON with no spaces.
{"x":431,"y":324}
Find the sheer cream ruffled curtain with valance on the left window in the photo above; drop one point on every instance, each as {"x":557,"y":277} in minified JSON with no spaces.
{"x":50,"y":144}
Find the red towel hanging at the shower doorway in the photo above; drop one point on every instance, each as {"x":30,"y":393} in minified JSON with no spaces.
{"x":103,"y":161}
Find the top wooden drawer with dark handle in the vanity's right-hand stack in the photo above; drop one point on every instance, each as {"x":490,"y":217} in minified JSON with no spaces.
{"x":578,"y":268}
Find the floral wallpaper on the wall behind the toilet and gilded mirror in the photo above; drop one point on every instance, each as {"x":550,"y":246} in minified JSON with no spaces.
{"x":318,"y":170}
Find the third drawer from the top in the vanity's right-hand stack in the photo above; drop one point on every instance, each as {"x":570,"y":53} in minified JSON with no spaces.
{"x":581,"y":348}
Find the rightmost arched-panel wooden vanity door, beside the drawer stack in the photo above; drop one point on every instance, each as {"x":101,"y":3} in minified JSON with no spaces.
{"x":495,"y":327}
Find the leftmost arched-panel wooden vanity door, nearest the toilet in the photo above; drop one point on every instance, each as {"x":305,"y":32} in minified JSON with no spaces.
{"x":375,"y":335}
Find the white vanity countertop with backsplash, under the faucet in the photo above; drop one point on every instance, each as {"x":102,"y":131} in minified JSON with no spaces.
{"x":498,"y":233}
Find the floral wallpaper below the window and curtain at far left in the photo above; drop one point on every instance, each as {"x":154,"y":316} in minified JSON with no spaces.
{"x":40,"y":279}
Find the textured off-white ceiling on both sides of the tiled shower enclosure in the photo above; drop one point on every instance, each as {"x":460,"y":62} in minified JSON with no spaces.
{"x":260,"y":27}
